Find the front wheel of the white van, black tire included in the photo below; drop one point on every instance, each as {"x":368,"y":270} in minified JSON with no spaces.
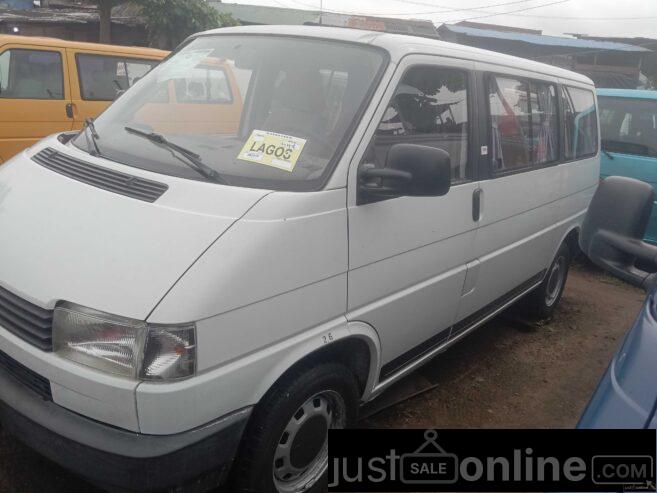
{"x":287,"y":432}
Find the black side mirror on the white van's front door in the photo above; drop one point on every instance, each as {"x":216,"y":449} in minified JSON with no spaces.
{"x":411,"y":170}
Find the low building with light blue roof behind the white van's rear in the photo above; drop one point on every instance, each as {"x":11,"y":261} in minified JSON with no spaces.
{"x":610,"y":63}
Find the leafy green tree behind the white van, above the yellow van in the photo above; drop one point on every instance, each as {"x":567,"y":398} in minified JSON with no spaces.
{"x":170,"y":21}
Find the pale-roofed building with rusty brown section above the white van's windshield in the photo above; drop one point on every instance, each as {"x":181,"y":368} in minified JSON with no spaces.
{"x":260,"y":14}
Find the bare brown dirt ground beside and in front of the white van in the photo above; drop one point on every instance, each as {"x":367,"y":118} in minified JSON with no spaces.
{"x":509,"y":373}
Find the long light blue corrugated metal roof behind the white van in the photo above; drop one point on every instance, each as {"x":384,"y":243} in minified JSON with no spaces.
{"x":544,"y":40}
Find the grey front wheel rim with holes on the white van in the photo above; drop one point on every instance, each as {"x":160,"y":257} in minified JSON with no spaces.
{"x":301,"y":456}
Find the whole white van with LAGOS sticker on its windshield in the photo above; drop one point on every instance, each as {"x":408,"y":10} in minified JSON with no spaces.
{"x":181,"y":301}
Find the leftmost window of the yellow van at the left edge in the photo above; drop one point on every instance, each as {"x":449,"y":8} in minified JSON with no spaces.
{"x":31,"y":74}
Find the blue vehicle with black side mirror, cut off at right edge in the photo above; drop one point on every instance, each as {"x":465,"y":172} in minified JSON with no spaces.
{"x":612,"y":237}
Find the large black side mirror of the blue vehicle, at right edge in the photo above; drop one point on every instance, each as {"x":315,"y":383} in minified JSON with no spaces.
{"x":614,"y":227}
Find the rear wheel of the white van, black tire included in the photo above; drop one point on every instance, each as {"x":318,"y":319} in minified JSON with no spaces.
{"x":544,"y":299}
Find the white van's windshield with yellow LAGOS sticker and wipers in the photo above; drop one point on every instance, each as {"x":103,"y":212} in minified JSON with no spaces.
{"x":256,"y":111}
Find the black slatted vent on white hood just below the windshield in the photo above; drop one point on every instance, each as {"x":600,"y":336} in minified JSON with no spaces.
{"x":97,"y":176}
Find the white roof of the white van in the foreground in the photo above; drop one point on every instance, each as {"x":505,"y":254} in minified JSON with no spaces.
{"x":399,"y":45}
